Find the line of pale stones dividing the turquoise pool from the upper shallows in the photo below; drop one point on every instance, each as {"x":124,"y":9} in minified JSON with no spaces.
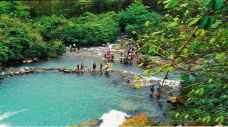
{"x":132,"y":78}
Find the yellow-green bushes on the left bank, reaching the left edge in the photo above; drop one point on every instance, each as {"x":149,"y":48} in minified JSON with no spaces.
{"x":20,"y":39}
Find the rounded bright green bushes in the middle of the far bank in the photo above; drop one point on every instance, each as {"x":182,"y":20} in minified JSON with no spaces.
{"x":90,"y":29}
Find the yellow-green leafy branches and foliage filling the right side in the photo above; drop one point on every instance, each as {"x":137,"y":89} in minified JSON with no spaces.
{"x":195,"y":42}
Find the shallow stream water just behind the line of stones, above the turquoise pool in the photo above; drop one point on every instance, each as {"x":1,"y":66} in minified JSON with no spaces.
{"x":70,"y":61}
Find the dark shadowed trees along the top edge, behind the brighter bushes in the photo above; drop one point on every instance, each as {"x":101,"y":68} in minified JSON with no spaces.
{"x":71,"y":8}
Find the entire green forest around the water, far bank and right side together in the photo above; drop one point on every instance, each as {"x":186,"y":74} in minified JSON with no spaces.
{"x":190,"y":35}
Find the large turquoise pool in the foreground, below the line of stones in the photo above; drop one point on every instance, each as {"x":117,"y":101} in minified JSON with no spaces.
{"x":57,"y":99}
